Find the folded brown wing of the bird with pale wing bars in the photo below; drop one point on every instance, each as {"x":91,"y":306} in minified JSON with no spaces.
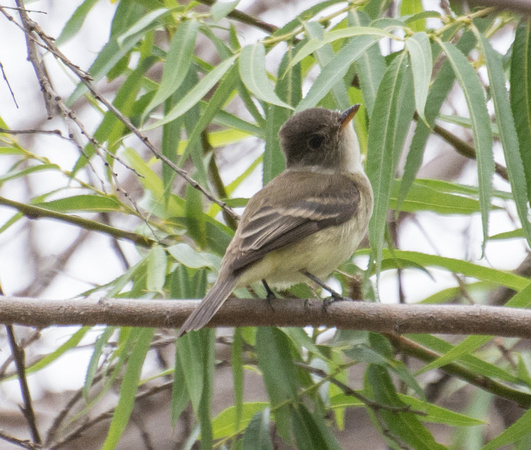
{"x":322,"y":201}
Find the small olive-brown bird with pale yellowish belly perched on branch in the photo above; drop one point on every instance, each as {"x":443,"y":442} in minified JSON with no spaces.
{"x":306,"y":221}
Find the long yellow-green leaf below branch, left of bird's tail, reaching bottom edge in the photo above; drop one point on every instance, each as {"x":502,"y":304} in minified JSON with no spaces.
{"x":129,"y":387}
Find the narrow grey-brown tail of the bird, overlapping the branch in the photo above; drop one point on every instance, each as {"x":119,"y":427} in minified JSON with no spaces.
{"x":210,"y":305}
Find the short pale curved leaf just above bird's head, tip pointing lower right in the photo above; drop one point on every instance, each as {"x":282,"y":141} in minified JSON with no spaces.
{"x":254,"y":75}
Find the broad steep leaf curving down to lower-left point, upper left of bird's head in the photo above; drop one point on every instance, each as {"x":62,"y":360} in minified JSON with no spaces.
{"x":178,"y":60}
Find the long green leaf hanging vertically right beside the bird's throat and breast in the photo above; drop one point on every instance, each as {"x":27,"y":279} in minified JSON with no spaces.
{"x":393,"y":111}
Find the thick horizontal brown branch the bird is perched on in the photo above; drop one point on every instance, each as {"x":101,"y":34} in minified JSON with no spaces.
{"x":393,"y":319}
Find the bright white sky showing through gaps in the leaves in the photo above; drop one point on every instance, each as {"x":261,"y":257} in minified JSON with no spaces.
{"x":454,"y":236}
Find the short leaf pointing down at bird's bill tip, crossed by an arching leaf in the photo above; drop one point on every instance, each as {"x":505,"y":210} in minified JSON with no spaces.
{"x":370,"y":67}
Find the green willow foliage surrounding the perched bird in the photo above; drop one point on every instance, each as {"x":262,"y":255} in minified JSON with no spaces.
{"x":403,"y":69}
